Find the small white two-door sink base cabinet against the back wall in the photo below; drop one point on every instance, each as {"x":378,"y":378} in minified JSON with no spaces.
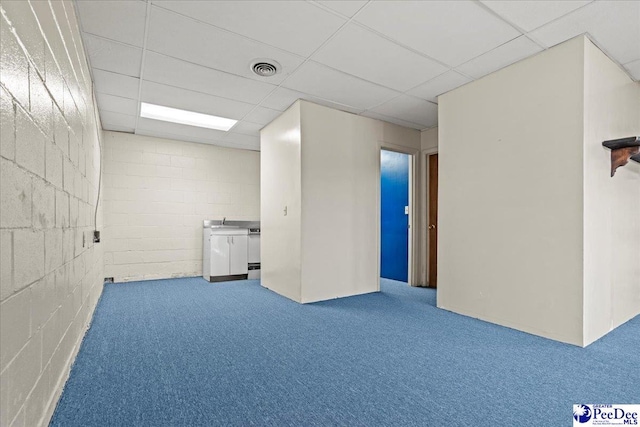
{"x":224,"y":254}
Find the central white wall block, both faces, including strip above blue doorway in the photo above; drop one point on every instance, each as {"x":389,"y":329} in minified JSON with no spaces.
{"x":324,"y":164}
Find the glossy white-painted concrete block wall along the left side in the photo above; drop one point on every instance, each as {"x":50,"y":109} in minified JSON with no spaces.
{"x":51,"y":272}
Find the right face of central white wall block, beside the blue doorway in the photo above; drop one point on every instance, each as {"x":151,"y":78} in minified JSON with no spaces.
{"x":340,"y":170}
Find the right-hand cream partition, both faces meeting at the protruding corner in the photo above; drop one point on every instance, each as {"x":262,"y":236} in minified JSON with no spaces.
{"x":528,"y":215}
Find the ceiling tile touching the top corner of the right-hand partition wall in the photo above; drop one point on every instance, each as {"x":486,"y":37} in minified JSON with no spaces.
{"x":613,"y":25}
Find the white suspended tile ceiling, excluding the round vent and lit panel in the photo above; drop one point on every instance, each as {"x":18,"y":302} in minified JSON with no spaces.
{"x":387,"y":60}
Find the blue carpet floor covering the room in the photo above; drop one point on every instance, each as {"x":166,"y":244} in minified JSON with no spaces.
{"x":185,"y":352}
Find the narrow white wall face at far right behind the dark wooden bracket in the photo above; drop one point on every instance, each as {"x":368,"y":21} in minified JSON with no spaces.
{"x":611,"y":205}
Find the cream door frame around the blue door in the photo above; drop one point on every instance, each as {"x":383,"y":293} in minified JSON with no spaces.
{"x":414,"y":207}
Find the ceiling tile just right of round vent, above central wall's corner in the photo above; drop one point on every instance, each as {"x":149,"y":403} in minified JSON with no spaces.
{"x":335,"y":86}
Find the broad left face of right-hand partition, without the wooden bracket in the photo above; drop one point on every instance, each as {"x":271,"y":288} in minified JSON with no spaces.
{"x":511,"y":196}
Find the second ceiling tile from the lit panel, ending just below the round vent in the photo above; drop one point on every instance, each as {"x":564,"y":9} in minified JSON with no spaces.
{"x":163,"y":69}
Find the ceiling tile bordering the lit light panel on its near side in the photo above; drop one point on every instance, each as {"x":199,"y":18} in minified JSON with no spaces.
{"x":170,"y":96}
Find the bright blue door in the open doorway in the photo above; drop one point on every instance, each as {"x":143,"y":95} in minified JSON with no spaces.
{"x":394,"y":199}
